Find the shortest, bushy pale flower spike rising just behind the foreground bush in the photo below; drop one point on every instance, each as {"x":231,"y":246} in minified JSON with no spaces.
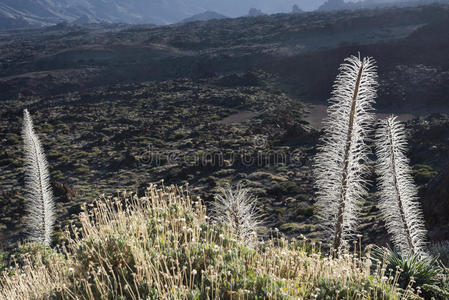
{"x":236,"y":208}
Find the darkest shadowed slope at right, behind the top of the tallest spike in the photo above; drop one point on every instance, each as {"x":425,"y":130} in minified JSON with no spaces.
{"x":414,"y":71}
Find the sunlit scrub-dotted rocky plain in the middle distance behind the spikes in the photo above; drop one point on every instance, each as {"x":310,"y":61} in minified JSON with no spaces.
{"x":204,"y":134}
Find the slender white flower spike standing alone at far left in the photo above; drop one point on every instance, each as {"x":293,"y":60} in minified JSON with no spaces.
{"x":39,"y":197}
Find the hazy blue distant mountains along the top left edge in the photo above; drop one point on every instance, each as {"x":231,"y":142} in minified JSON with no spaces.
{"x":38,"y":13}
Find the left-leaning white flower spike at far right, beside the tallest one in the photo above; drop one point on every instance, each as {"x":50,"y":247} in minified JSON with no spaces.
{"x":398,"y":194}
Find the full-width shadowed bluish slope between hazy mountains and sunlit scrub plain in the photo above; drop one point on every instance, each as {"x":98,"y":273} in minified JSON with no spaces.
{"x":411,"y":45}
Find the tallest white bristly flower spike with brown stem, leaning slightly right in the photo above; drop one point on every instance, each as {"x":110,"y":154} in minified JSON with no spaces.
{"x":341,"y":163}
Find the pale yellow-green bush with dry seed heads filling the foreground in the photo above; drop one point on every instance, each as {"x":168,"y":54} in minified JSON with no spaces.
{"x":161,"y":246}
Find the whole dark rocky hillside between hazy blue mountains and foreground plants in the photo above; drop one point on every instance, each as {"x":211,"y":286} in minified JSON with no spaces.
{"x":120,"y":106}
